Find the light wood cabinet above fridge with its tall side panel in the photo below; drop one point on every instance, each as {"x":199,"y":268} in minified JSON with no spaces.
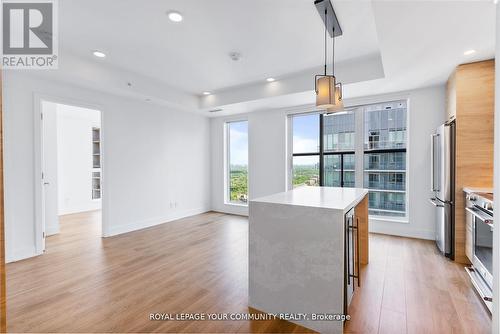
{"x":470,"y":101}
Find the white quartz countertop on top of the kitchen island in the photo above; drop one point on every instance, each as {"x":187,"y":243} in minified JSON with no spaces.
{"x":319,"y":197}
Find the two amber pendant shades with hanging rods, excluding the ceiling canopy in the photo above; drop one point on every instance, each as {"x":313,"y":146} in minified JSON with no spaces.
{"x":328,"y":91}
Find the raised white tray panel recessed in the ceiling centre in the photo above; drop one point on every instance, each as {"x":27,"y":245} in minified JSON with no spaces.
{"x":275,"y":37}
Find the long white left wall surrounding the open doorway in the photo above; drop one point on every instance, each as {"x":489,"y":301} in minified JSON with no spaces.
{"x":155,"y":166}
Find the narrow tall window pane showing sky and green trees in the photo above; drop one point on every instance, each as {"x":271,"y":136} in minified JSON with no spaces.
{"x":237,"y":162}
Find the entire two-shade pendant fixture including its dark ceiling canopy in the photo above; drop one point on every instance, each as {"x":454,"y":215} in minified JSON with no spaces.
{"x":328,"y":90}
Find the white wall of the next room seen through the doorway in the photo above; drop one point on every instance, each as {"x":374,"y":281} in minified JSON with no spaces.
{"x":74,"y":158}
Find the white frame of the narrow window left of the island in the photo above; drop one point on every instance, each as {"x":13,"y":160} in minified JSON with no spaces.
{"x":227,"y":162}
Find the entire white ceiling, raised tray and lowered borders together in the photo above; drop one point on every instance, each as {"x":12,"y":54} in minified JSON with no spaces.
{"x":397,"y":45}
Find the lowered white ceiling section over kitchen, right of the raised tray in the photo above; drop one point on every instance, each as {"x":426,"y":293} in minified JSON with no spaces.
{"x":421,"y":42}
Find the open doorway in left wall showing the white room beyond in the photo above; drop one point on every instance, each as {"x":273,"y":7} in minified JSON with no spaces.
{"x":71,"y":163}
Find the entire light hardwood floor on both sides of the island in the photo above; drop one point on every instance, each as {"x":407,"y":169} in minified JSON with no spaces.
{"x":199,"y":264}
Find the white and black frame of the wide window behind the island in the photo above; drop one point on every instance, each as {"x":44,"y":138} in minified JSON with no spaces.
{"x":359,"y":152}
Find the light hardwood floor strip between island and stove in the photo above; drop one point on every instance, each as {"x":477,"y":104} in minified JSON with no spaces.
{"x":409,"y":288}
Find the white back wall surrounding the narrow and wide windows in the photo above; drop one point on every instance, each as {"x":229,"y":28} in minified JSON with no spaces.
{"x":267,"y":157}
